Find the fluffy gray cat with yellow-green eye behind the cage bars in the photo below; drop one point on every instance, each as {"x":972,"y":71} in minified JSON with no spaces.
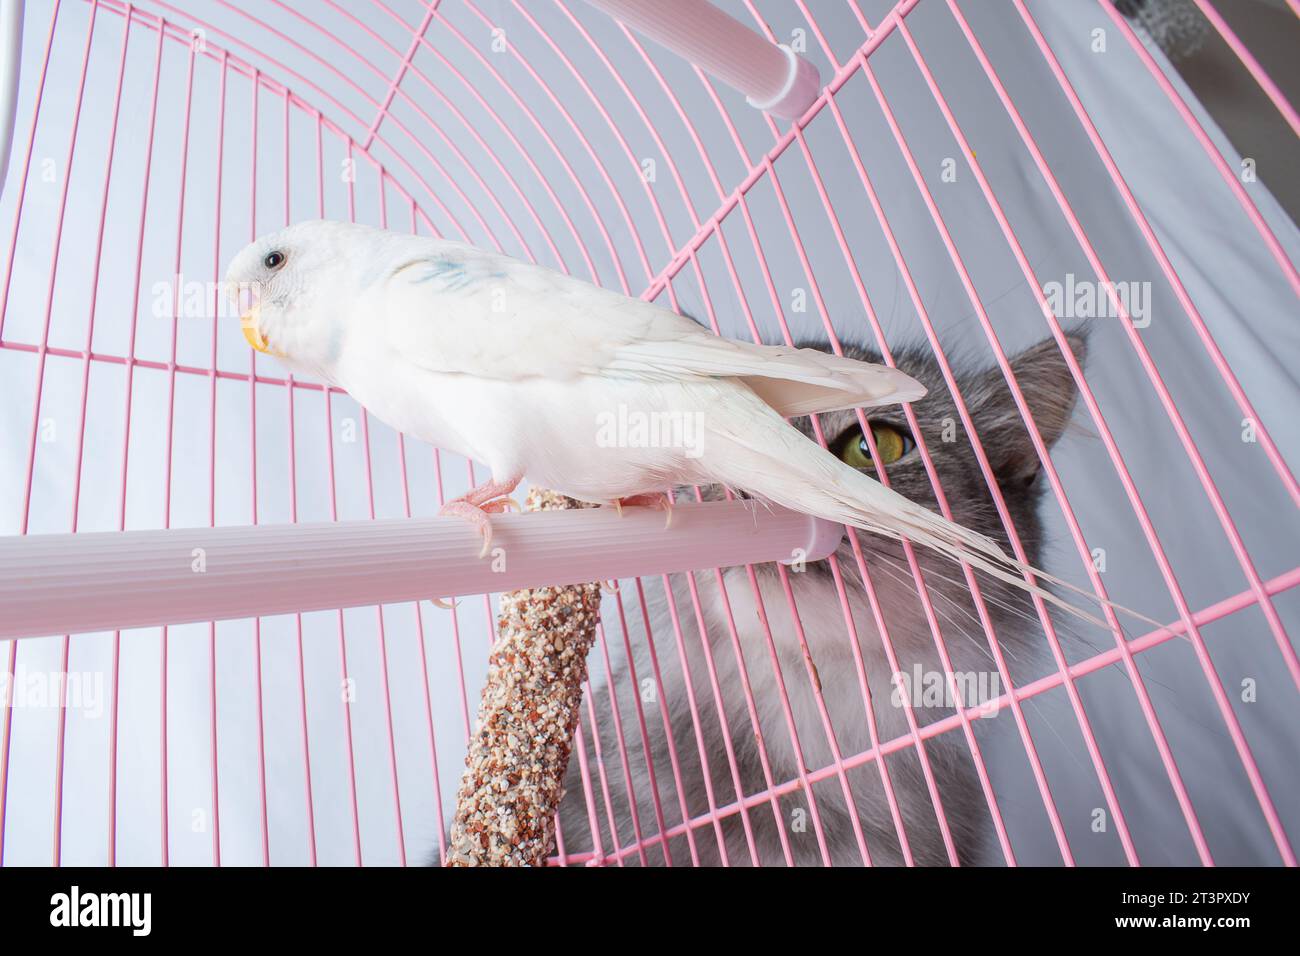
{"x":850,"y":810}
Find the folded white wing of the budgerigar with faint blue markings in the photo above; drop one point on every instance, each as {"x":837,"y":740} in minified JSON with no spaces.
{"x":461,"y":310}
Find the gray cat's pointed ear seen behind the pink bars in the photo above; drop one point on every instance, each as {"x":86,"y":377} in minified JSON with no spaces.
{"x":1050,"y":391}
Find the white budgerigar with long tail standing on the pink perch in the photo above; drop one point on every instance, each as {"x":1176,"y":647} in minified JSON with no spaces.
{"x":600,"y":396}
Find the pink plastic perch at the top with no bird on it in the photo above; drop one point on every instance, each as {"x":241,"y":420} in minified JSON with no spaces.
{"x":774,"y":77}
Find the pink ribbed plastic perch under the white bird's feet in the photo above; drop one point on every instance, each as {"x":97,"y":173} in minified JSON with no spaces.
{"x":54,"y":585}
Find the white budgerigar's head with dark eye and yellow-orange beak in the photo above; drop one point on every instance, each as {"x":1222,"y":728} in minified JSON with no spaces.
{"x":294,"y":289}
